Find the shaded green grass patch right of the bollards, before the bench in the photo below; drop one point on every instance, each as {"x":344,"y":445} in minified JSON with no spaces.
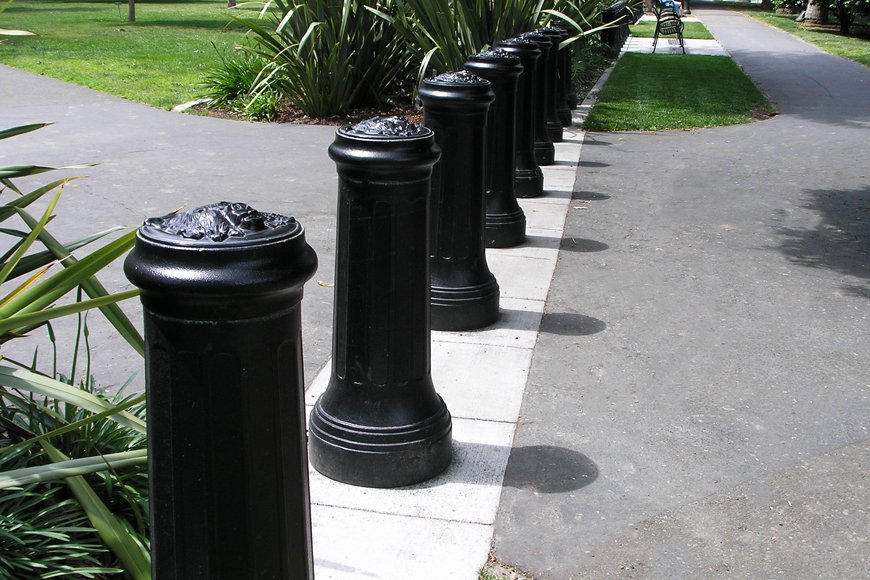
{"x":651,"y":92}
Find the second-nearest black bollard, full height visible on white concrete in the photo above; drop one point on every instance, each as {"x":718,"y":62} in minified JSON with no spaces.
{"x":380,"y":422}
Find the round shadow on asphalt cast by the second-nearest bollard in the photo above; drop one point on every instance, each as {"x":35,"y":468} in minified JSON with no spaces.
{"x":548,"y":469}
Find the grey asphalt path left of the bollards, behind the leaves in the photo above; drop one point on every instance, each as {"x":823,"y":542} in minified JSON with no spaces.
{"x":151,"y":162}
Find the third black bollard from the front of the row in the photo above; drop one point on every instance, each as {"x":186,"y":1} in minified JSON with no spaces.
{"x":463,"y":294}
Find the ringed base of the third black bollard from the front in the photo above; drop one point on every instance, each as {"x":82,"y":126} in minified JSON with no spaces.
{"x":464,"y":308}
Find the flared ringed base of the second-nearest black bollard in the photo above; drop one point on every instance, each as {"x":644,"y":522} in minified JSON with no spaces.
{"x":370,"y":456}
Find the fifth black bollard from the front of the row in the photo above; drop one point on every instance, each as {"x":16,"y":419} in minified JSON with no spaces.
{"x":529,"y":177}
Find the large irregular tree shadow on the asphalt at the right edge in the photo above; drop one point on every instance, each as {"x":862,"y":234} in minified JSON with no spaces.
{"x":841,"y":241}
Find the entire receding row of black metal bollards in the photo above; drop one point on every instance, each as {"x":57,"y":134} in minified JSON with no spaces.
{"x":221,"y":288}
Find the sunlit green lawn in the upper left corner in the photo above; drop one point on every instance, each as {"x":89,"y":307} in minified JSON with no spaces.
{"x":158,"y":60}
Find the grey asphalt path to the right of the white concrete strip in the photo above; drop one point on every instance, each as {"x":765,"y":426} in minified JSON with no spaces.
{"x":699,"y":397}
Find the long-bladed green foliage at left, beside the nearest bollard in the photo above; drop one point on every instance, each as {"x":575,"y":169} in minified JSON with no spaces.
{"x":46,"y":420}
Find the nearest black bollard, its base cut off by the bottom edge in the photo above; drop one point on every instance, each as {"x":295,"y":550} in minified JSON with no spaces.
{"x":221,"y":287}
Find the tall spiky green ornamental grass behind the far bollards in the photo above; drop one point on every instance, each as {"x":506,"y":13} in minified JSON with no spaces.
{"x":330,"y":56}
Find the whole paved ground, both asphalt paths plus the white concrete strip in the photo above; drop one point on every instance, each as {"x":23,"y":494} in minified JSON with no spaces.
{"x":696,"y":401}
